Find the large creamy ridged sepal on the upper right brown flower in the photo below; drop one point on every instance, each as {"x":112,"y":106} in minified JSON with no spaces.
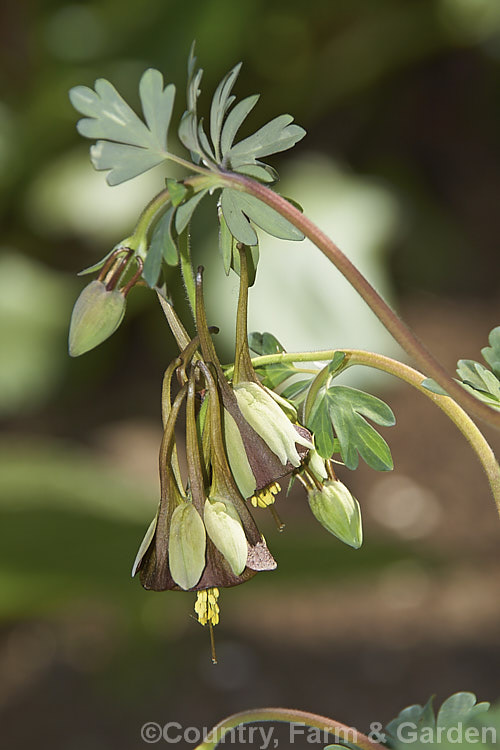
{"x":270,"y":422}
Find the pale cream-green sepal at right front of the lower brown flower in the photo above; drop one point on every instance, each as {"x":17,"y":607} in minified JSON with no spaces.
{"x":226,"y":532}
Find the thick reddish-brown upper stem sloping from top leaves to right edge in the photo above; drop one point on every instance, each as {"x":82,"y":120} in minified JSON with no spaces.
{"x":399,"y":330}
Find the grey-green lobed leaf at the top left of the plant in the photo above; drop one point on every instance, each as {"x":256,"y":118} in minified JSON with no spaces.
{"x":126,"y":145}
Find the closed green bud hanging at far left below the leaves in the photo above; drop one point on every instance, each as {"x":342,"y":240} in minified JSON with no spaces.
{"x":96,"y":315}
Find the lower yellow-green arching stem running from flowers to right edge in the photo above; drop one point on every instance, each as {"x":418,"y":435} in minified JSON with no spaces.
{"x":414,"y":378}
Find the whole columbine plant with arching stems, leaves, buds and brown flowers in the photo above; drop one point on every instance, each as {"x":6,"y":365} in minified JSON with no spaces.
{"x":253,"y":423}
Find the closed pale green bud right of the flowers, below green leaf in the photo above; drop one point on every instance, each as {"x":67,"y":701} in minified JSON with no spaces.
{"x":338,"y":511}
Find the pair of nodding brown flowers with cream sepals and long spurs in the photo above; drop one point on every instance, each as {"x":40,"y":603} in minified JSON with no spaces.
{"x":240,"y":439}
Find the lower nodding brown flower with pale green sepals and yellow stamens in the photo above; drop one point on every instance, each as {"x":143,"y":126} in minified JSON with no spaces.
{"x":203,"y":536}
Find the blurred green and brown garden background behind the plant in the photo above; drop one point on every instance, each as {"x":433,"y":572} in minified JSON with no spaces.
{"x":401,"y":101}
